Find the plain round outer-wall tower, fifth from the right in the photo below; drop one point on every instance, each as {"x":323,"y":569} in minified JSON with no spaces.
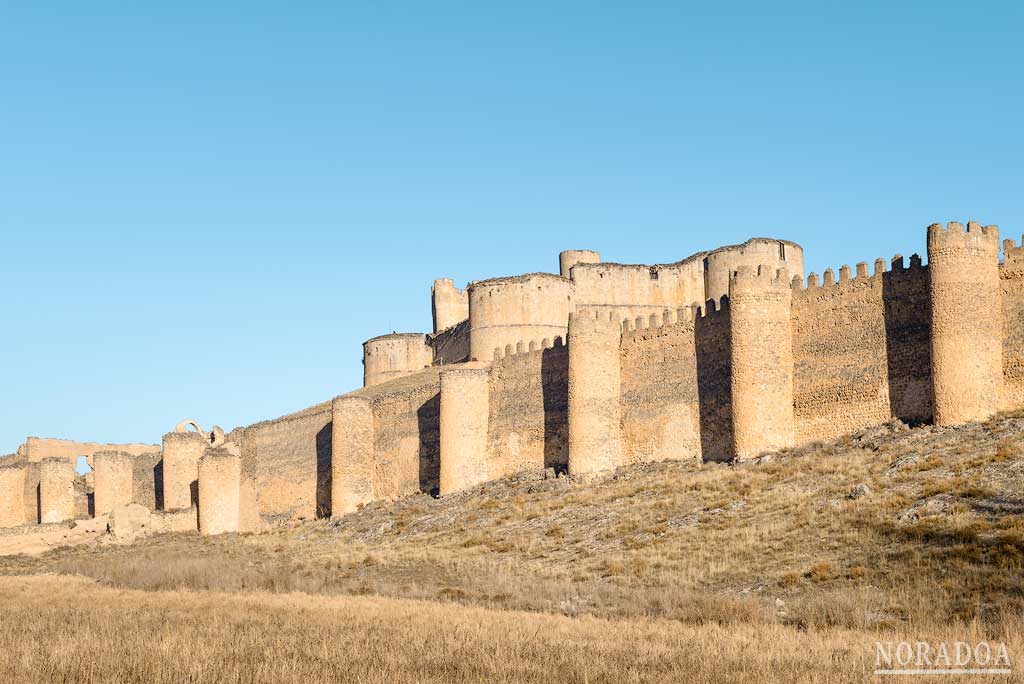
{"x":352,"y":454}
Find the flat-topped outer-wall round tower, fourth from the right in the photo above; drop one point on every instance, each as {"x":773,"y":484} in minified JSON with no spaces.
{"x":464,"y":407}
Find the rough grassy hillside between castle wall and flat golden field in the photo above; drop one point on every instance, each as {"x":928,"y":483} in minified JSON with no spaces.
{"x":892,"y":531}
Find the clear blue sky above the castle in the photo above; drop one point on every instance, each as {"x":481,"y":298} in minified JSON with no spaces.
{"x":207,"y":207}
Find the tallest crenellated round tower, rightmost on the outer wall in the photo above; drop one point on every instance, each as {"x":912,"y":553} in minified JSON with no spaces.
{"x":967,"y":322}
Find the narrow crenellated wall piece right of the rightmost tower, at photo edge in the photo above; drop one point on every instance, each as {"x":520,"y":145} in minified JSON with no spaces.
{"x":1012,"y":291}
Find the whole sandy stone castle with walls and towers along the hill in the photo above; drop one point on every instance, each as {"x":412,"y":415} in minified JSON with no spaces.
{"x":724,"y":355}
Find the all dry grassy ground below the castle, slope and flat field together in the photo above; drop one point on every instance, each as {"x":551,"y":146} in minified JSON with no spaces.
{"x":785,"y":570}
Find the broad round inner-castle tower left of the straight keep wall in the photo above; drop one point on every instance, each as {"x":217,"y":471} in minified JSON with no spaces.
{"x":523,"y":309}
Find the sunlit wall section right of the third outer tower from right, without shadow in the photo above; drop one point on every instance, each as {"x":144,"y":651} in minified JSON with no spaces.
{"x":661,"y":415}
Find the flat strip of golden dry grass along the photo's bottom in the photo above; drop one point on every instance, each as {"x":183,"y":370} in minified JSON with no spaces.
{"x":70,"y":630}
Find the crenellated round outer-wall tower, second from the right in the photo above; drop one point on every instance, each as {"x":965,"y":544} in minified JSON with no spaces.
{"x":760,"y":300}
